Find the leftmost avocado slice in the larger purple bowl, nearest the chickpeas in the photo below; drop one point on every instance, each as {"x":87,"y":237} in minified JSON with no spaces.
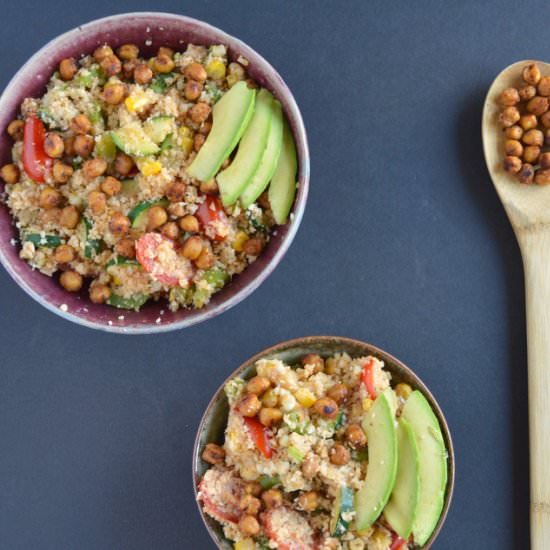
{"x":230,"y":117}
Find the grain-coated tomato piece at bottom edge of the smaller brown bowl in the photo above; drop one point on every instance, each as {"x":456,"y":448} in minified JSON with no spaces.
{"x":298,"y":534}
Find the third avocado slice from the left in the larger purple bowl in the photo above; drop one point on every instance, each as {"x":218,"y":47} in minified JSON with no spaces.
{"x":270,"y":157}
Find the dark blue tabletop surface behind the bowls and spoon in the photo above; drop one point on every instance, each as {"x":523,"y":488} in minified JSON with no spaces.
{"x":404,"y":244}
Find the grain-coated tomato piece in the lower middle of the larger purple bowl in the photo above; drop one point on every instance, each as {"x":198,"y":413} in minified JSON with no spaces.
{"x":158,"y":256}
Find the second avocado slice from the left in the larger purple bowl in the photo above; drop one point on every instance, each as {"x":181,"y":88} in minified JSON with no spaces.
{"x":233,"y":180}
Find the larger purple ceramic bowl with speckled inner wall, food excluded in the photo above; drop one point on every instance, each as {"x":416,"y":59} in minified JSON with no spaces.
{"x":148,"y":31}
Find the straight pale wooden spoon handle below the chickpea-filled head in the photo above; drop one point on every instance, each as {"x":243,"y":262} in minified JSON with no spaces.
{"x":536,"y":260}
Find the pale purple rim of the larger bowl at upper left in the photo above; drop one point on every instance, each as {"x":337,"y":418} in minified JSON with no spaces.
{"x":300,"y":134}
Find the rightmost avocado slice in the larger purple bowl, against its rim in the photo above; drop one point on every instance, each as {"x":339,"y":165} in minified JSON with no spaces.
{"x":283,"y":184}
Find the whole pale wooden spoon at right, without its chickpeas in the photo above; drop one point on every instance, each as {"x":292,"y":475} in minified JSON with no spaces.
{"x":528,"y":208}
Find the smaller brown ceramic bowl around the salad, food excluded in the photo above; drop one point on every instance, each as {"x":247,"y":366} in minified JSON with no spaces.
{"x":212,"y":425}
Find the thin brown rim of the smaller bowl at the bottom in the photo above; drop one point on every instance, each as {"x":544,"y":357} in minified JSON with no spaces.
{"x":304,"y":341}
